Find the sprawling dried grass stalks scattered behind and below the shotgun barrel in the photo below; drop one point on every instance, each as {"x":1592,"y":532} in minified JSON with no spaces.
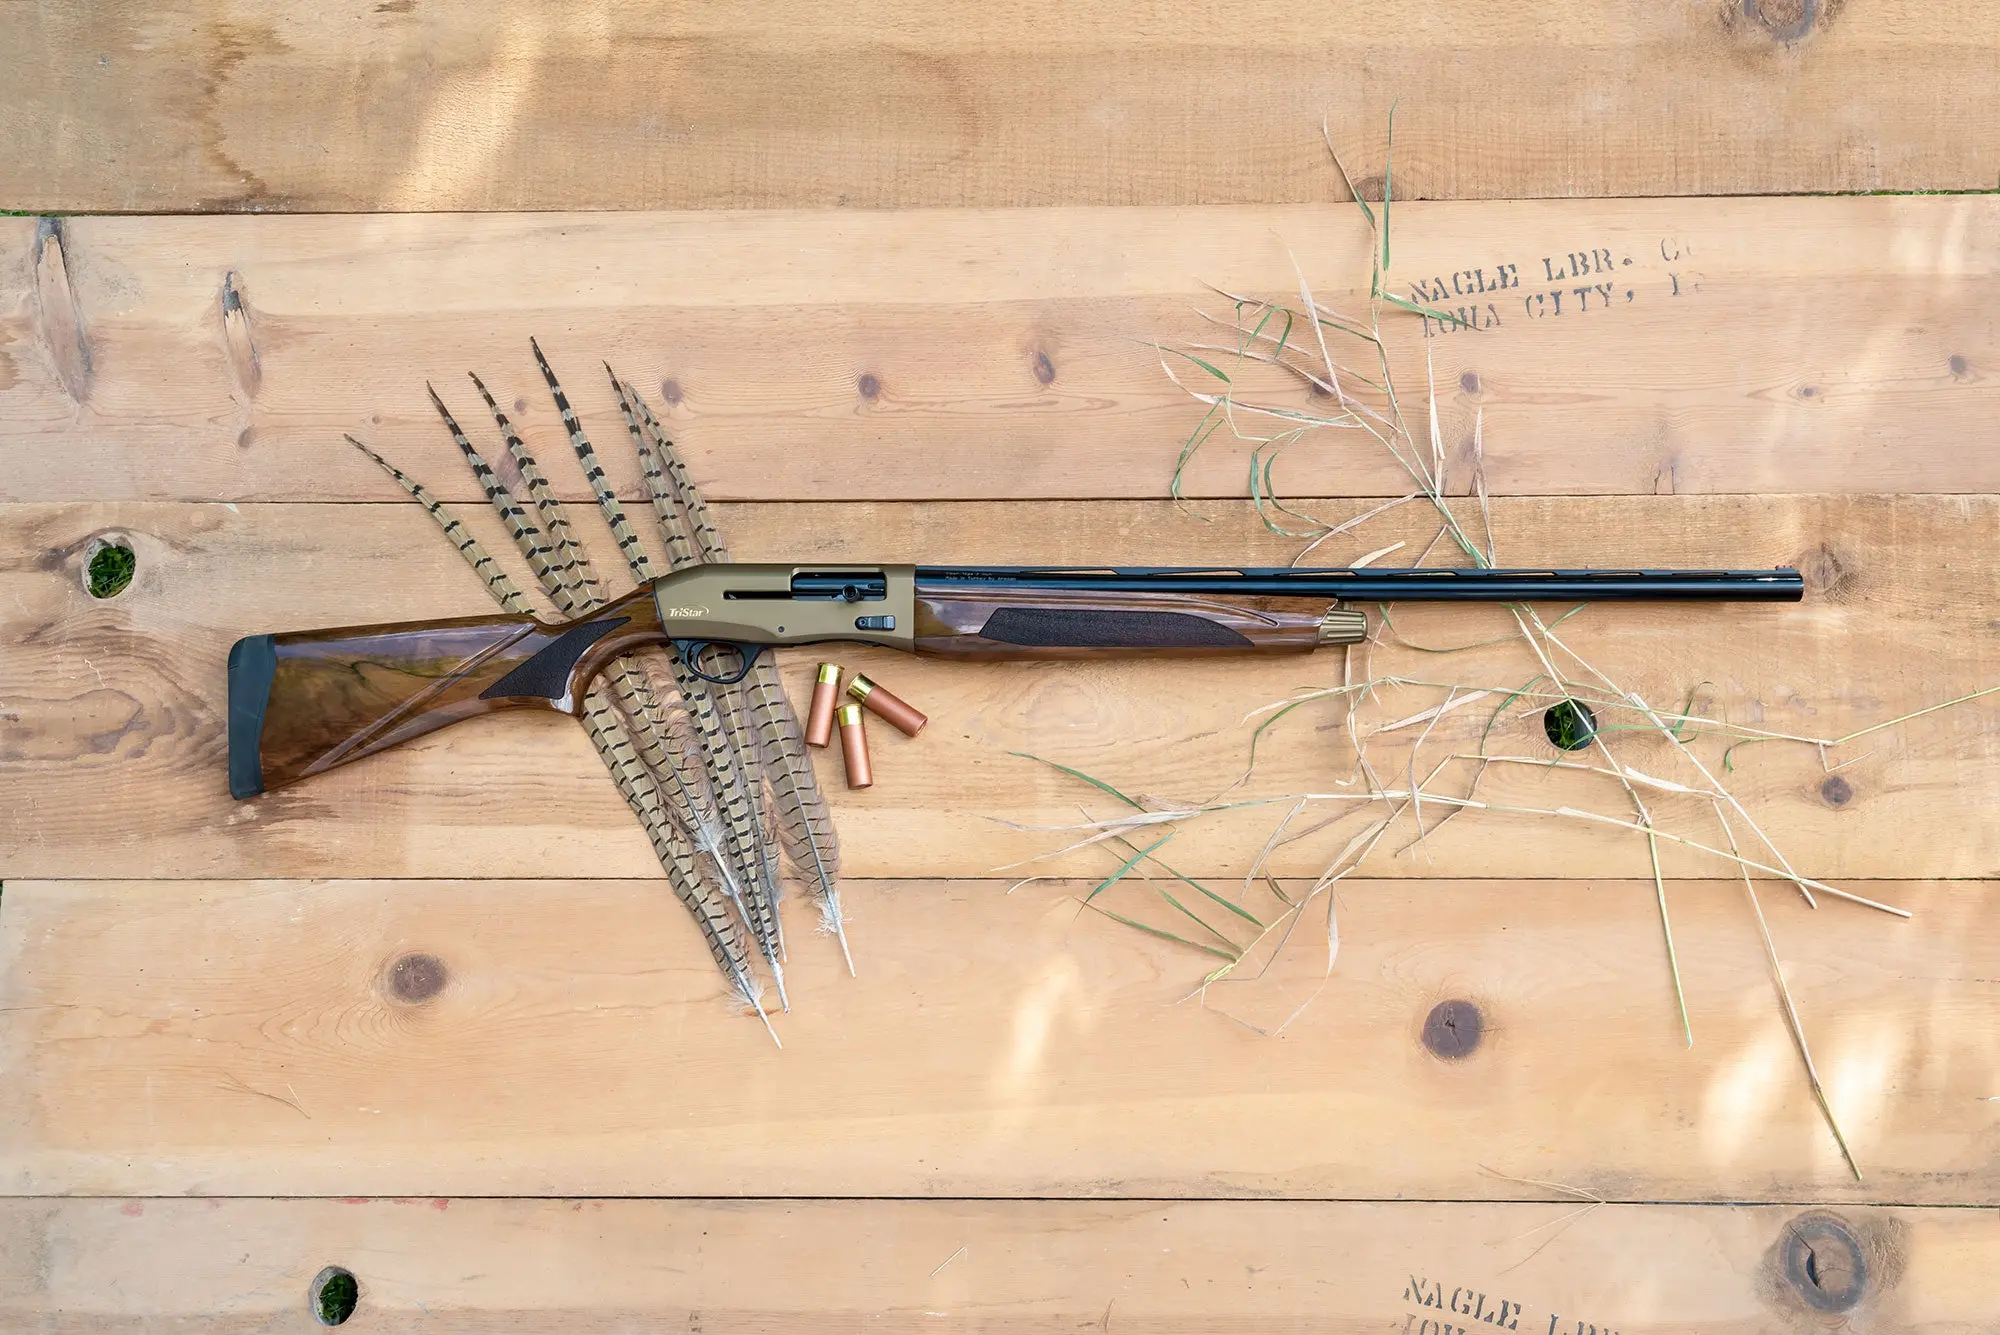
{"x":1313,"y":343}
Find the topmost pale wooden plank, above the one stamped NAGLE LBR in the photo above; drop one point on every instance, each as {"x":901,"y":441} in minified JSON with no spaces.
{"x":477,"y":107}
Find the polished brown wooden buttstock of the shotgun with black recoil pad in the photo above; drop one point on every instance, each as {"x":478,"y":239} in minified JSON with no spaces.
{"x":311,"y":700}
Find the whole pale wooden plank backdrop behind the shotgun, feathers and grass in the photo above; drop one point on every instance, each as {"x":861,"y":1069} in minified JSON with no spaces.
{"x":903,"y":303}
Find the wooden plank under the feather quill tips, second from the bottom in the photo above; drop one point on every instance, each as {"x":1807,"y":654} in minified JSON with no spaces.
{"x":243,"y":1038}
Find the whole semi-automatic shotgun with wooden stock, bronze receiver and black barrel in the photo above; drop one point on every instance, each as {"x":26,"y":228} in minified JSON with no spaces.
{"x":305,"y":702}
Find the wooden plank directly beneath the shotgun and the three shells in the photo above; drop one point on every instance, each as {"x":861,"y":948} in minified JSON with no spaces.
{"x":115,"y":746}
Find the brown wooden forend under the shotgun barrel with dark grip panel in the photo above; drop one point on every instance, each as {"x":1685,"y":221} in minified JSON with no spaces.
{"x":997,"y":625}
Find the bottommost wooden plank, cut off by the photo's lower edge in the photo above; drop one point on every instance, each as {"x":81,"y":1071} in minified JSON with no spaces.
{"x":75,"y":1268}
